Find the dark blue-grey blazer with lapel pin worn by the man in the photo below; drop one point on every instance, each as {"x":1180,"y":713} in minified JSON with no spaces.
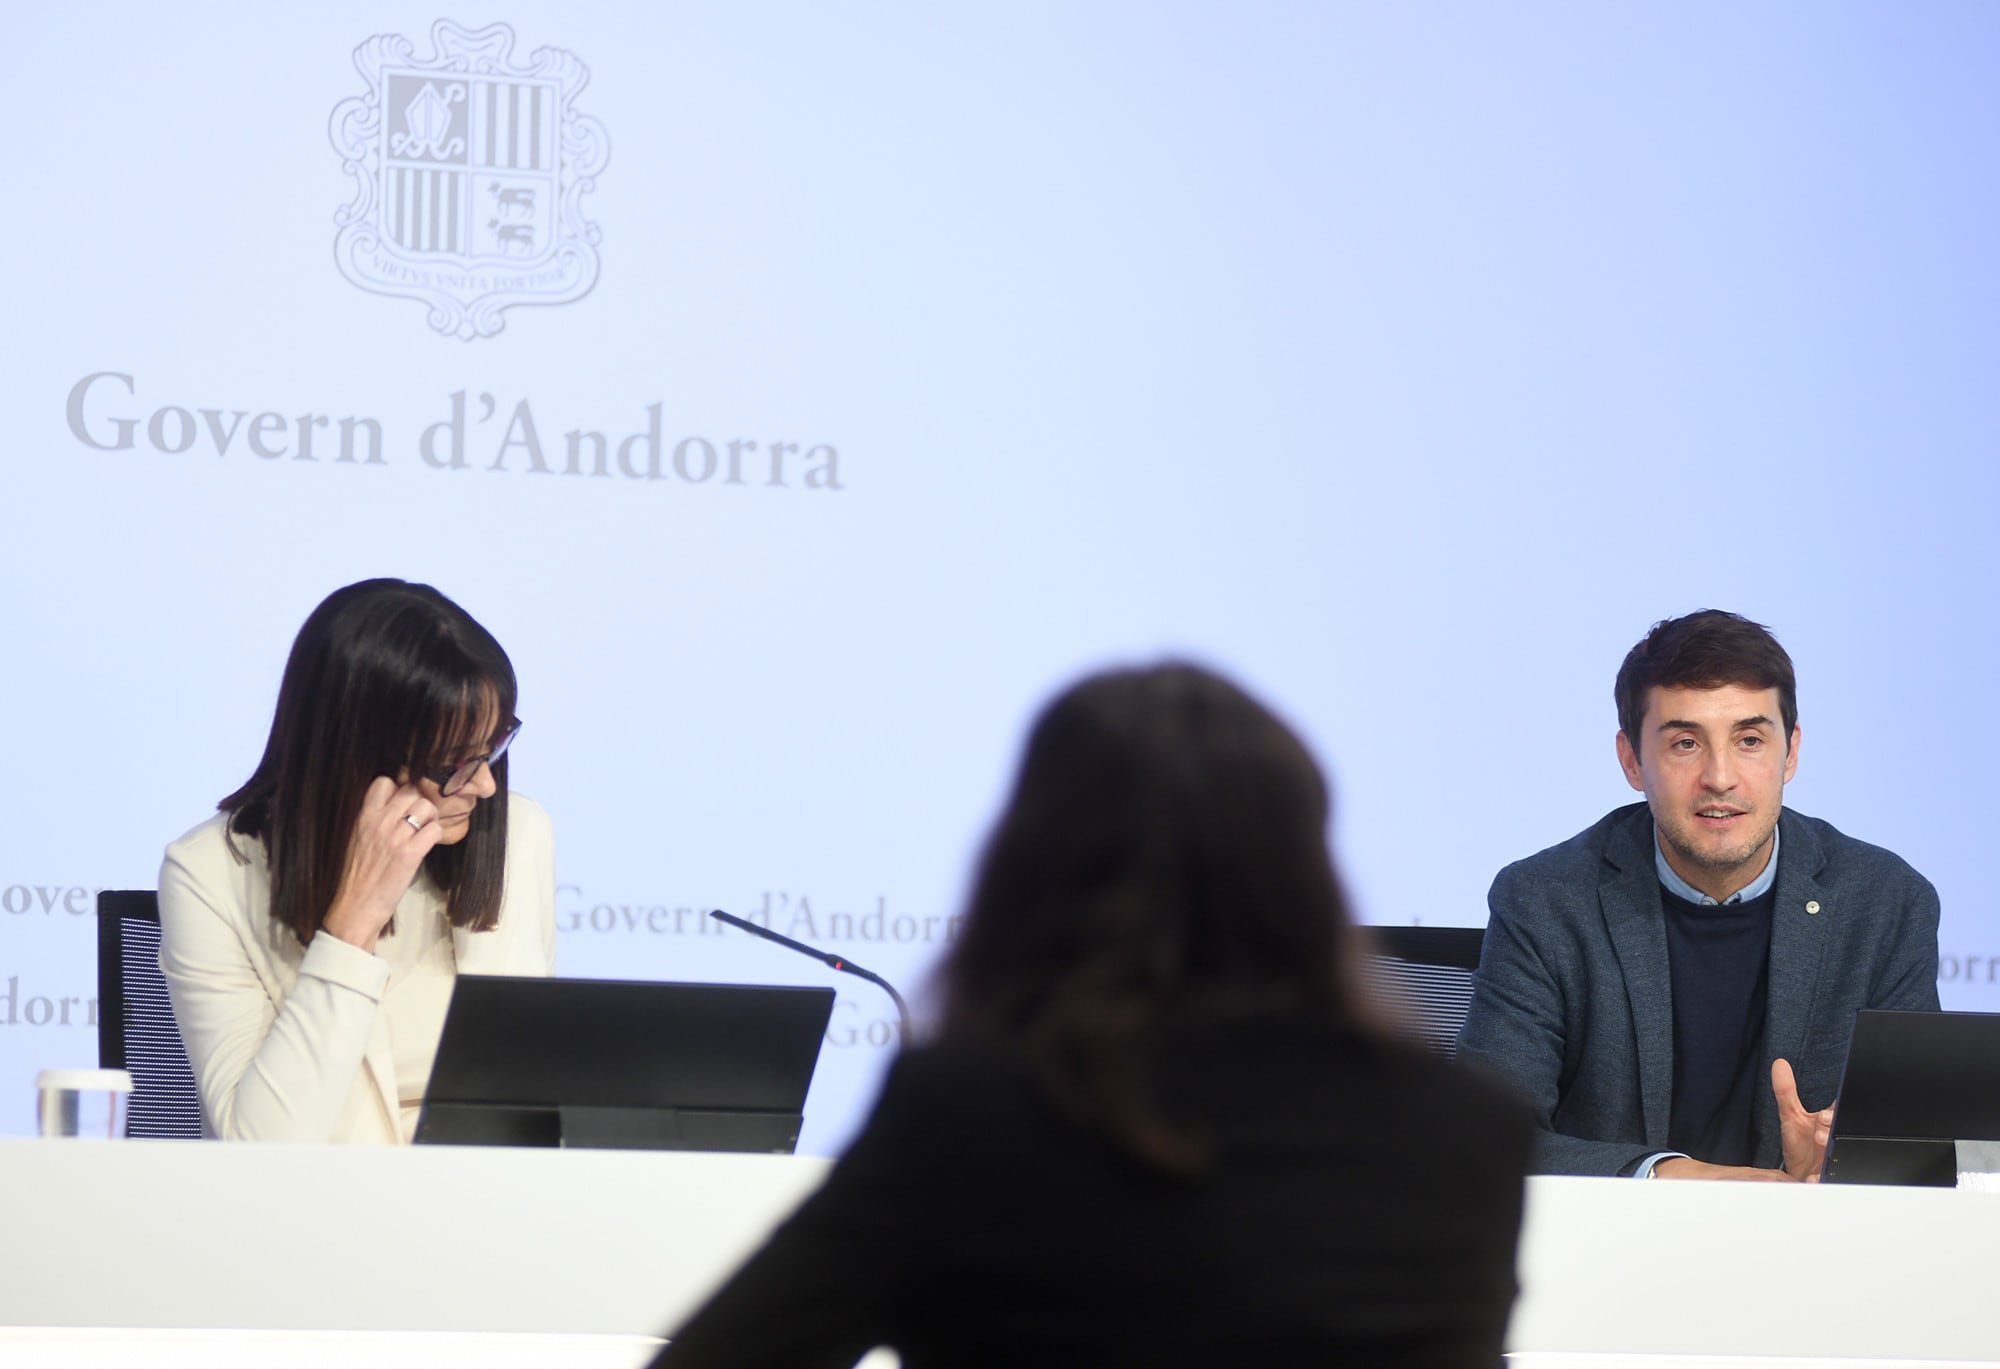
{"x":1573,"y":998}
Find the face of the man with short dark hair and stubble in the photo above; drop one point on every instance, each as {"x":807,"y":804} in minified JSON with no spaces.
{"x":1713,"y":766}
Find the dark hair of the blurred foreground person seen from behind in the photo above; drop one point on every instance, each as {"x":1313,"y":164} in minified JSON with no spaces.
{"x":1163,"y":860}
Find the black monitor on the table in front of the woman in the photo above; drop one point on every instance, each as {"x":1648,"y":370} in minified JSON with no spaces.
{"x":625,"y":1066}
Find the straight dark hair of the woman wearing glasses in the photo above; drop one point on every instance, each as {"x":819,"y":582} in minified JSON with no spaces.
{"x":385,"y":675}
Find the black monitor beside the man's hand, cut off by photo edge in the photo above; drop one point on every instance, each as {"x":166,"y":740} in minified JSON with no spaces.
{"x":1915,"y":1086}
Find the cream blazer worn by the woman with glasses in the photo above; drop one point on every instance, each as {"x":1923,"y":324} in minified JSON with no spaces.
{"x":285,"y":1040}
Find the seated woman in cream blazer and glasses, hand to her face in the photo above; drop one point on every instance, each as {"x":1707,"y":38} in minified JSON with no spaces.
{"x":313,"y":930}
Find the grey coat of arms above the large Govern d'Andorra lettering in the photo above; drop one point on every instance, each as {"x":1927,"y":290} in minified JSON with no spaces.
{"x":469,"y":177}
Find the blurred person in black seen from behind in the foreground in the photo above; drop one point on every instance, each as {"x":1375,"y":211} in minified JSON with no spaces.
{"x":1159,"y":1124}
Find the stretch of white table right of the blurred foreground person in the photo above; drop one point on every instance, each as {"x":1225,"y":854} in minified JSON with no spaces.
{"x":1757,"y":1274}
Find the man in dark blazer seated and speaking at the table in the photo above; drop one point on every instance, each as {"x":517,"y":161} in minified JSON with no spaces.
{"x":1675,"y":988}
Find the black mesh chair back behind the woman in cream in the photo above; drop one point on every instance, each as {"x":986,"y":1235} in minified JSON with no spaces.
{"x":137,"y":1028}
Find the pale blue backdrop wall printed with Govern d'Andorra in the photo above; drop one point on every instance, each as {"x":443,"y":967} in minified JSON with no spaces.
{"x":1405,"y":361}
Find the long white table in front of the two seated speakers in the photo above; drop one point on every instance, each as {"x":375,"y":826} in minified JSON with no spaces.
{"x":259,"y":1254}
